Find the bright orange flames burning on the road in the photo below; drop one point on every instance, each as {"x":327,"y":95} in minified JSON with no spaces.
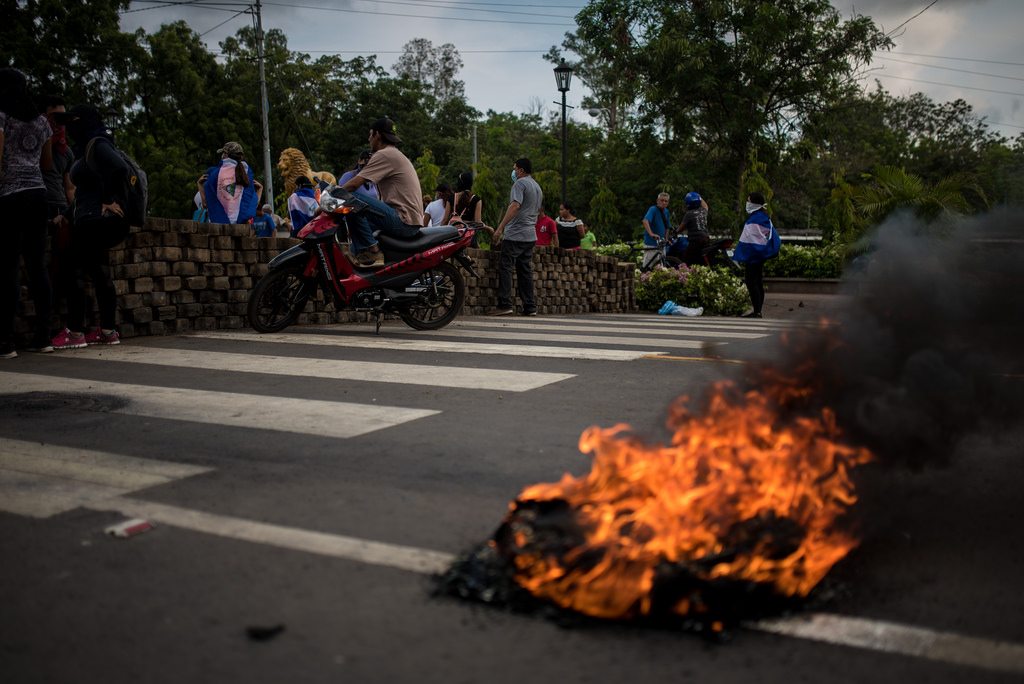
{"x":738,"y":495}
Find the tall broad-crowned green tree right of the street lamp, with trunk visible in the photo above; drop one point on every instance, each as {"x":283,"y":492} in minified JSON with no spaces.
{"x":734,"y":74}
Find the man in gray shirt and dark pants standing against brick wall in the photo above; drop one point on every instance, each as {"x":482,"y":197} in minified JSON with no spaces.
{"x":518,"y":235}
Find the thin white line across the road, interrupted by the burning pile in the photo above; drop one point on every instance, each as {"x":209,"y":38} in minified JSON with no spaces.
{"x":852,"y":632}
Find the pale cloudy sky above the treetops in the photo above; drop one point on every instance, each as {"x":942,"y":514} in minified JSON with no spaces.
{"x":948,"y":50}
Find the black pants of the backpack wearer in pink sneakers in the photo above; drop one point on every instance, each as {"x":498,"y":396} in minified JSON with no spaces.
{"x":88,"y":254}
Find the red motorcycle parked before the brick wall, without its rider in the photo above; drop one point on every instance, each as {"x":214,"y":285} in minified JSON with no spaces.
{"x":418,"y":282}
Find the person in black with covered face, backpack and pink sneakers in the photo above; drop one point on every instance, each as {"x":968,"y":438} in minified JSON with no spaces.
{"x":95,"y":223}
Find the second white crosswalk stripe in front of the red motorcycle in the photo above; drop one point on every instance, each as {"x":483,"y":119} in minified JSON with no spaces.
{"x":408,"y":374}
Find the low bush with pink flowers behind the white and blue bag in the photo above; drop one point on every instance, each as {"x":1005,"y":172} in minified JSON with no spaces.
{"x":718,"y":291}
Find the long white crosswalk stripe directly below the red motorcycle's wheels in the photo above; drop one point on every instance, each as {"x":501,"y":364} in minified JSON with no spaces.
{"x":320,"y":336}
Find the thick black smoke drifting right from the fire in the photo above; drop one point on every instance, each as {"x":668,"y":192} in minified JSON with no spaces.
{"x":930,"y":348}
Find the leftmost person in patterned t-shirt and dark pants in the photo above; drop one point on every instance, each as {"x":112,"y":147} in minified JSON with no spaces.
{"x":25,"y":155}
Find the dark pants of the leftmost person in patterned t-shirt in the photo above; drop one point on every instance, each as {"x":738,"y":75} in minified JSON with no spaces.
{"x":24,"y":218}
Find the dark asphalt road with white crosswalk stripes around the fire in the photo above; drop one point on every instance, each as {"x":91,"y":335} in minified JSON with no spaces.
{"x":314,"y":482}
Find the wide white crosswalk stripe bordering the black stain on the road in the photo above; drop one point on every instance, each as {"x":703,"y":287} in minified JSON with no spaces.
{"x":328,"y":419}
